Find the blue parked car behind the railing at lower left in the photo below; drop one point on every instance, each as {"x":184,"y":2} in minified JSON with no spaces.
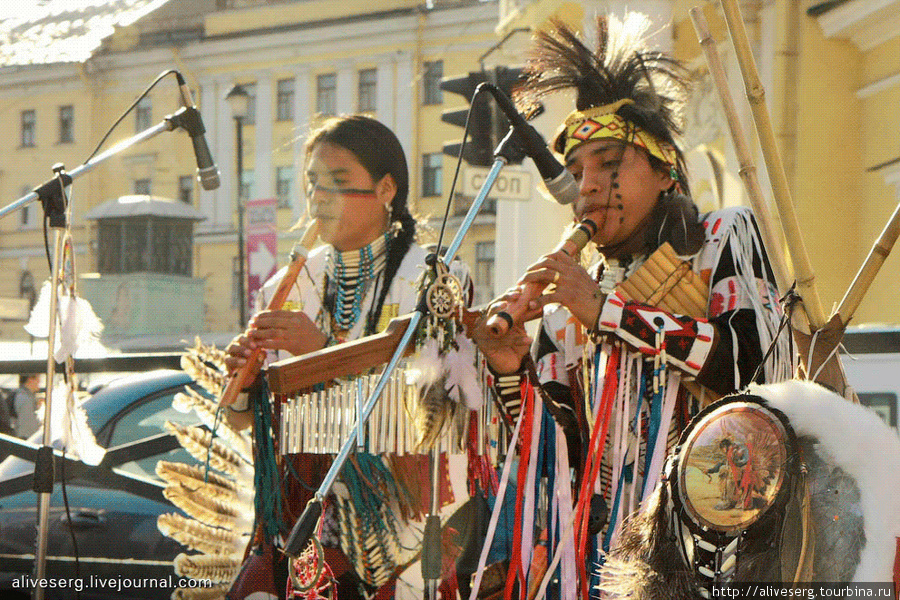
{"x":113,"y":507}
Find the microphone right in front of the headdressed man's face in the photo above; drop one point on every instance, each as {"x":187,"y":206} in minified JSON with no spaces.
{"x":557,"y":179}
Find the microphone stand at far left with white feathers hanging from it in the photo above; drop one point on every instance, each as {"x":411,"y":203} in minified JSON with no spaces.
{"x":55,"y":204}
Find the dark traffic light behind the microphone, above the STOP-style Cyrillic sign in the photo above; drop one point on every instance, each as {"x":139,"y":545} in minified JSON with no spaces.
{"x":487,"y":125}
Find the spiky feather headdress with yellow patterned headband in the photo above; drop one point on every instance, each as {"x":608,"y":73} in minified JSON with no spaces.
{"x":625,"y":91}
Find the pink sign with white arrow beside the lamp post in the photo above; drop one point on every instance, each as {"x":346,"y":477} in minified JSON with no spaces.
{"x":262,"y":243}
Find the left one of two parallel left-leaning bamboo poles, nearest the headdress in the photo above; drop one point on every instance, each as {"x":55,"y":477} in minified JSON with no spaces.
{"x":771,"y":239}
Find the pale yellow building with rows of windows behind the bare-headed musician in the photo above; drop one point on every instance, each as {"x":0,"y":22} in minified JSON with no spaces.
{"x":299,"y":60}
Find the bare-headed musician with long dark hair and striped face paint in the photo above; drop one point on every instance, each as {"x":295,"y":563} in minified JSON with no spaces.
{"x":364,"y":275}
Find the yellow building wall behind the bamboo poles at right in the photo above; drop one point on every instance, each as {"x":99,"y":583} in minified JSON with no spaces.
{"x":832,"y":81}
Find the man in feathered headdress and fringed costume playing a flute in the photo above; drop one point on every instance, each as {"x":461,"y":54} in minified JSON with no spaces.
{"x":619,"y":374}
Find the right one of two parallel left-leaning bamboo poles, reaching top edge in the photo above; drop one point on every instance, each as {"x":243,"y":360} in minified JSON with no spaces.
{"x":781,"y":192}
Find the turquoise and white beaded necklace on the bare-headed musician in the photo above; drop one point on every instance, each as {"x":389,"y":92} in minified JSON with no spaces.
{"x":348,"y":276}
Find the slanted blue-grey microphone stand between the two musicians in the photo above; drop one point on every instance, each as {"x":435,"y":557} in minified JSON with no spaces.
{"x":431,"y":550}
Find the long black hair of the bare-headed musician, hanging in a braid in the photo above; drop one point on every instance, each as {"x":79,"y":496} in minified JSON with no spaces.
{"x":379,"y":151}
